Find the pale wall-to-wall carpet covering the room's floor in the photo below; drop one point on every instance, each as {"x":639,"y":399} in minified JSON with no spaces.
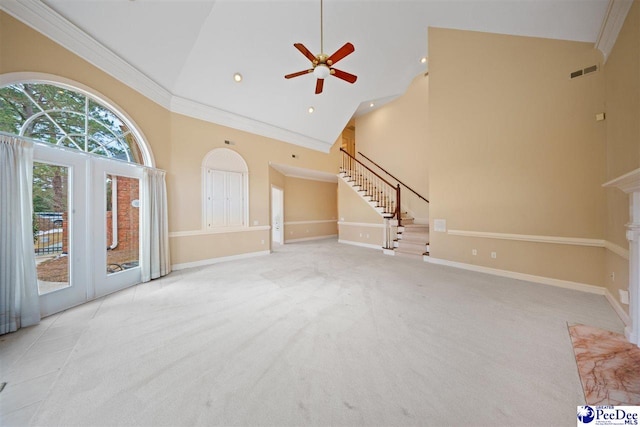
{"x":320,"y":333}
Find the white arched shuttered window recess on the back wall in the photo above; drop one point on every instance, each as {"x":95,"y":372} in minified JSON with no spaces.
{"x":225,"y":183}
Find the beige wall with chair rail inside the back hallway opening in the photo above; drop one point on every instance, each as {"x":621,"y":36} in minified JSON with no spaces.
{"x":310,"y":209}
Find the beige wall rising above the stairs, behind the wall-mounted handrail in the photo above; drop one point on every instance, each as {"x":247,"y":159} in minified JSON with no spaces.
{"x":395,"y":137}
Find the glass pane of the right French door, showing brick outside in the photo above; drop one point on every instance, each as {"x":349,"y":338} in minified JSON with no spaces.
{"x":122,"y":223}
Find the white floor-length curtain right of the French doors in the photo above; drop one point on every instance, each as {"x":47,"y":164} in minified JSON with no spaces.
{"x":155,"y":261}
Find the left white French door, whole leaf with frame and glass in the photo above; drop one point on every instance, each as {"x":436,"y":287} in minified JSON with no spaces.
{"x":60,"y":227}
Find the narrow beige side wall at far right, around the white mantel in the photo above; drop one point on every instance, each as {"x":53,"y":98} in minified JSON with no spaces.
{"x":622,"y":77}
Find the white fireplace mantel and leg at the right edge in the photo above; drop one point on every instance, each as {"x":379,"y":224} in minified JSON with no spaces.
{"x":630,"y":184}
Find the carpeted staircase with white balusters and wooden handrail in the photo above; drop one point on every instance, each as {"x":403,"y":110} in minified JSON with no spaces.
{"x":402,"y":236}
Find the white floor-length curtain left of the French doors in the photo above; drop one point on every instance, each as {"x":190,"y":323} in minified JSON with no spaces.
{"x":19,"y":304}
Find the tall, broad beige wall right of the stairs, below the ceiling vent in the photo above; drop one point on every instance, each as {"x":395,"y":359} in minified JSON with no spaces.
{"x":514,"y":148}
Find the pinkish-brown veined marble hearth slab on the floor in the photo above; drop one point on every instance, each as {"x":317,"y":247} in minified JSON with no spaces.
{"x":609,"y":366}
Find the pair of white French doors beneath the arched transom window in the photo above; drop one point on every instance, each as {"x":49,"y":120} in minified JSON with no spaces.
{"x":87,"y":226}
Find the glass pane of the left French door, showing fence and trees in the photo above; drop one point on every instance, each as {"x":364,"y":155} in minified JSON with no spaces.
{"x":51,"y":226}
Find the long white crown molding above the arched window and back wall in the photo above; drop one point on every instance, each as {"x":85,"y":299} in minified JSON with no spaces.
{"x":46,"y":21}
